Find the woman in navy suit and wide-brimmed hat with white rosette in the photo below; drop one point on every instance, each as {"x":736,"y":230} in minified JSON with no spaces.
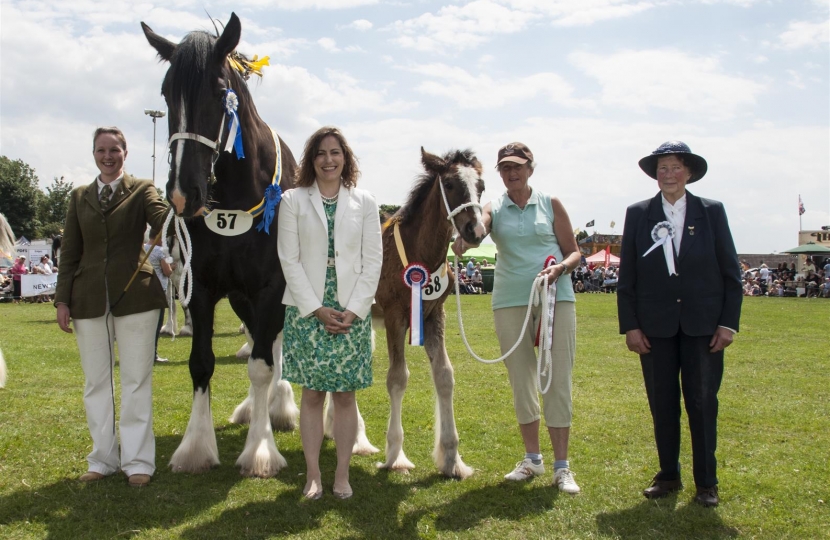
{"x":679,"y":303}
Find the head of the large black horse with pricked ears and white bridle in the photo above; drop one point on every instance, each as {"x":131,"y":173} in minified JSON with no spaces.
{"x":195,"y":88}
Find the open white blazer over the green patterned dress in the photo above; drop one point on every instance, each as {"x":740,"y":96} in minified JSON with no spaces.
{"x":302,"y":244}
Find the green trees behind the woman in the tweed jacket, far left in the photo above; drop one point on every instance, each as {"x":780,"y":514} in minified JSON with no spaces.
{"x":30,"y":211}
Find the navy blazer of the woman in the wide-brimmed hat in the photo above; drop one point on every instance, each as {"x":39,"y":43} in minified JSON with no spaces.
{"x":706,"y":292}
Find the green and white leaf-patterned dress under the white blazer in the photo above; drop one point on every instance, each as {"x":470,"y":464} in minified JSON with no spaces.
{"x":319,"y":360}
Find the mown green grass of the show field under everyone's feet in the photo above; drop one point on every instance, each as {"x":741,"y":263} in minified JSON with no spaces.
{"x":774,"y":442}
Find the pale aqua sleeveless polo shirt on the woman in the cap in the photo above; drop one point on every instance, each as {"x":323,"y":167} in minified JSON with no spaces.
{"x":524,"y":239}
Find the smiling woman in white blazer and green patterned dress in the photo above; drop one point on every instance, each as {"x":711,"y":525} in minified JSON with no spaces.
{"x":330,"y":250}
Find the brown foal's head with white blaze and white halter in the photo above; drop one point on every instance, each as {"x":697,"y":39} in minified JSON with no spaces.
{"x":458,"y":174}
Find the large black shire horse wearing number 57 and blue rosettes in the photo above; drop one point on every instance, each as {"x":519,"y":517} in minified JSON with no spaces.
{"x":221,"y":193}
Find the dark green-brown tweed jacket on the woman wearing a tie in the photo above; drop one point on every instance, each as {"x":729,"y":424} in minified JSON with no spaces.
{"x":101,"y":250}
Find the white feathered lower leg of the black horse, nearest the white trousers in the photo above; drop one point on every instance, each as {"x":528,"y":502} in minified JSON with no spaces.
{"x":198,"y":451}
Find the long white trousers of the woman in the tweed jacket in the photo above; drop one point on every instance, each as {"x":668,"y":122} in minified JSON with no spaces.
{"x":136,"y":336}
